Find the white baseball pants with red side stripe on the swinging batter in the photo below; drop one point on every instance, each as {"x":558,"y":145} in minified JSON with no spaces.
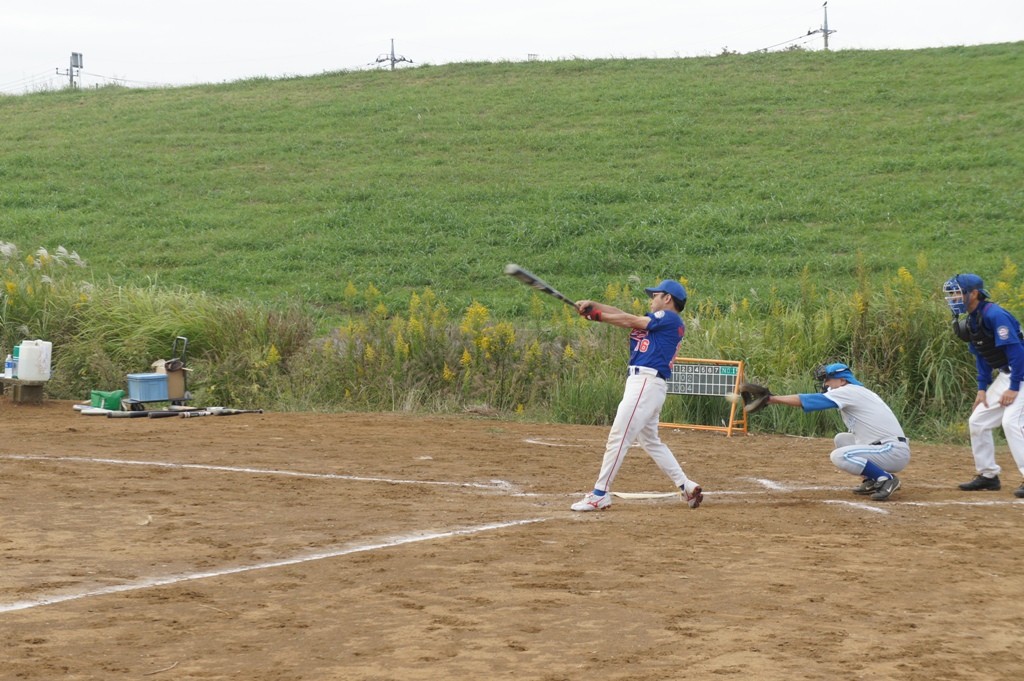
{"x":636,"y":420}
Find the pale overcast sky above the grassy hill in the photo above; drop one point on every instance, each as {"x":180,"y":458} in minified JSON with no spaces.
{"x":211,"y":41}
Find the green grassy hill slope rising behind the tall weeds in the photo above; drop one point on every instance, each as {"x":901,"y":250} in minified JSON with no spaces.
{"x":735,"y":173}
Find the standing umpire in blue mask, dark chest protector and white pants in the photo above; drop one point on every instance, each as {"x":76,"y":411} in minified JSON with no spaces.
{"x":995,"y":339}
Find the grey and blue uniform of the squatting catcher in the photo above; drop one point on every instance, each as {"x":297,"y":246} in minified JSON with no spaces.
{"x":875,"y":437}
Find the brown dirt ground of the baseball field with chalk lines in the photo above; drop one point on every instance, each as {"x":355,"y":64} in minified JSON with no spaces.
{"x":286,"y":547}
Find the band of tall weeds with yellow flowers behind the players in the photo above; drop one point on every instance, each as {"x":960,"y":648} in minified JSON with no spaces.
{"x":548,"y":365}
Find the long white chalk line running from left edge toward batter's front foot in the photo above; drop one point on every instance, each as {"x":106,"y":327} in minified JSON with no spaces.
{"x":177,"y":579}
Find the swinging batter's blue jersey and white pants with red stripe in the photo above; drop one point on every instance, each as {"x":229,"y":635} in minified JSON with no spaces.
{"x":652,"y":354}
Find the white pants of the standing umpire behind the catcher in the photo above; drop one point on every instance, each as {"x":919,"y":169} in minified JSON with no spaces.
{"x":989,"y":417}
